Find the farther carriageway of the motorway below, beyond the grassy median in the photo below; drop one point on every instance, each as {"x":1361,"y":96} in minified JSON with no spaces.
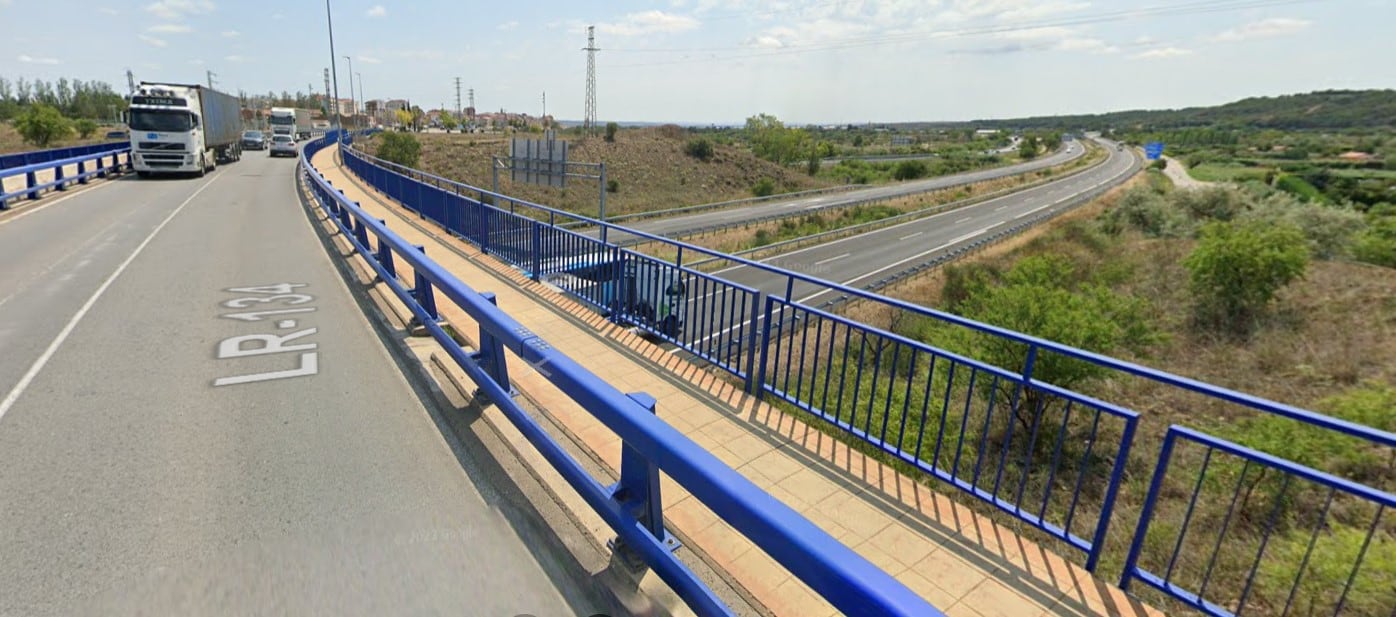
{"x":678,"y":225}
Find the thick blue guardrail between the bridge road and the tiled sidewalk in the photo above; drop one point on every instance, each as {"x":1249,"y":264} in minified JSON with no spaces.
{"x":633,"y":507}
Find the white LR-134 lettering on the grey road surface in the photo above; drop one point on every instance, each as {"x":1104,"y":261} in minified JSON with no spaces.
{"x":249,"y":345}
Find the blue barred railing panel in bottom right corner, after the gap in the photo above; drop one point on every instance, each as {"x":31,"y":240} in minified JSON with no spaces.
{"x":1292,"y":540}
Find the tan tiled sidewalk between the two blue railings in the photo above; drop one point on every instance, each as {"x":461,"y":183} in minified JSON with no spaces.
{"x":961,"y":562}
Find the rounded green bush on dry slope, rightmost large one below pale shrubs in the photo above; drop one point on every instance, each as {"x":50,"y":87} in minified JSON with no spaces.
{"x":1238,"y":270}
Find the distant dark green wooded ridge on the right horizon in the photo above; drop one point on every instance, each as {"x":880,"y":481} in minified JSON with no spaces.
{"x":1327,"y":110}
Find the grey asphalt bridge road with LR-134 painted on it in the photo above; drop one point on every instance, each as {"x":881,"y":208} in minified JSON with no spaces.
{"x":170,"y":445}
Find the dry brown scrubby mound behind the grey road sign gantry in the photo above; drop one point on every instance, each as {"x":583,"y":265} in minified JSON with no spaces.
{"x":648,"y":165}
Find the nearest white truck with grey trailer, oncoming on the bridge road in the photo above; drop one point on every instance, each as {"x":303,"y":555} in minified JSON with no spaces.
{"x":184,"y":129}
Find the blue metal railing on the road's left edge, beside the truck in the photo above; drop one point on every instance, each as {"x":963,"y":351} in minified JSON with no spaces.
{"x":30,"y":165}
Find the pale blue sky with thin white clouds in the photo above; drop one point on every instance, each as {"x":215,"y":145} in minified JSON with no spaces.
{"x":720,"y":62}
